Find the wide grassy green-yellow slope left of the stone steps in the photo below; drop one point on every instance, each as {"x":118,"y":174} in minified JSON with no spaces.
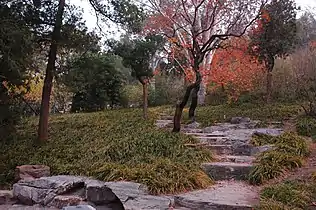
{"x":111,"y":145}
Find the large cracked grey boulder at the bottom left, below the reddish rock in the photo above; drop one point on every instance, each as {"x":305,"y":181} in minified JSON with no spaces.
{"x":61,"y":191}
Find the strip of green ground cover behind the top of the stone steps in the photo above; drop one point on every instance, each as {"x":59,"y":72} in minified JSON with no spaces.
{"x":209,"y":115}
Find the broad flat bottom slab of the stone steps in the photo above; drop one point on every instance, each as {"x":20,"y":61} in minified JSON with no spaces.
{"x":225,"y":195}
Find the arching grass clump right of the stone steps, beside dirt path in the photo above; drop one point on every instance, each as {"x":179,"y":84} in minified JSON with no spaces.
{"x":288,"y":153}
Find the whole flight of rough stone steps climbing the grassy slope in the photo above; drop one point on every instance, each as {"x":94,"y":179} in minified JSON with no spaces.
{"x":234,"y":158}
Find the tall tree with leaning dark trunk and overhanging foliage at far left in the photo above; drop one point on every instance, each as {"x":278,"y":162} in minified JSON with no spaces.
{"x":50,"y":27}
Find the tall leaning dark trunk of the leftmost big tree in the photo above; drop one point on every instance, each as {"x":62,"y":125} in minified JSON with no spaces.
{"x":49,"y":76}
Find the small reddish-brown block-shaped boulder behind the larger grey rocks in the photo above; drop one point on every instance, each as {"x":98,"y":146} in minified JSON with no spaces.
{"x":31,"y":172}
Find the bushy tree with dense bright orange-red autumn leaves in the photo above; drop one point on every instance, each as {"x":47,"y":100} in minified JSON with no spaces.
{"x":234,"y":69}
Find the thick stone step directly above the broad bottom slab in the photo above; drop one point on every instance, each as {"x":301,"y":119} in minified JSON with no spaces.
{"x":227,"y":170}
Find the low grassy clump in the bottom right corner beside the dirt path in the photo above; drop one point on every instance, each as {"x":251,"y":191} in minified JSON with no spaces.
{"x":288,"y":195}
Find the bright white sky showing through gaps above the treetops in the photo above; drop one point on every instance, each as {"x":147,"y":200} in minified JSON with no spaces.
{"x":91,"y":20}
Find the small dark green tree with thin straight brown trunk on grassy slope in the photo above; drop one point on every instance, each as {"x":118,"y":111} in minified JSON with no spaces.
{"x":138,"y":54}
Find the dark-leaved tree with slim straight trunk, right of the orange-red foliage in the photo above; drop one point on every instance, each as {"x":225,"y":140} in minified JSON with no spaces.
{"x":274,"y":35}
